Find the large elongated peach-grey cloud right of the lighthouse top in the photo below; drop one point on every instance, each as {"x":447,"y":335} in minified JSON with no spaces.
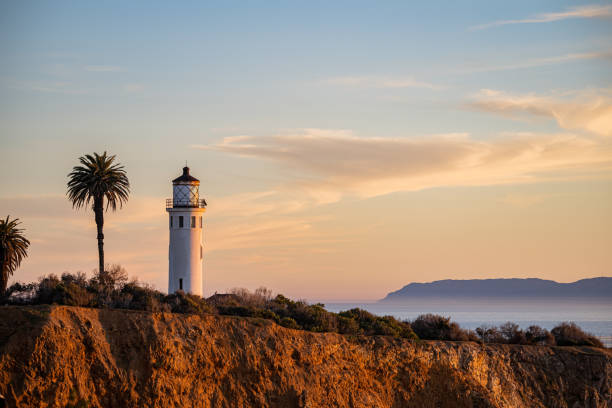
{"x":338,"y":163}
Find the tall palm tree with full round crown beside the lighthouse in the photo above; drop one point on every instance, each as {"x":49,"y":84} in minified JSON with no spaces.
{"x":94,"y":180}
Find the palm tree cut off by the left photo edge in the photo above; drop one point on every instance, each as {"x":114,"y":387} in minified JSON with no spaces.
{"x":13,"y":248}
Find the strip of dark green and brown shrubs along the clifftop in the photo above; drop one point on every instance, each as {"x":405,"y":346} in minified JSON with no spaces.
{"x":112,"y":289}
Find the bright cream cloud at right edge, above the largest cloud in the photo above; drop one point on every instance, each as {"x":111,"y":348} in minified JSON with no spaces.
{"x":585,"y":110}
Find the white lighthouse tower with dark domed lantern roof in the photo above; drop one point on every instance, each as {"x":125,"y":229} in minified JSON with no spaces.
{"x":185,"y":253}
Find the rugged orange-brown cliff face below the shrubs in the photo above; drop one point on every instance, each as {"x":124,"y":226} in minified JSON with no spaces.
{"x":66,"y":356}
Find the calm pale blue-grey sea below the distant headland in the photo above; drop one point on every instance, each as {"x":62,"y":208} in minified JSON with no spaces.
{"x":593,"y":315}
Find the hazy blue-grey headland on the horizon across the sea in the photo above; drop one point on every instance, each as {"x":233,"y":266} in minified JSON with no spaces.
{"x":508,"y":288}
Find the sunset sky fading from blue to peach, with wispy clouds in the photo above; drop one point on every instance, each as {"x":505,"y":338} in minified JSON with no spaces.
{"x":345,"y":149}
